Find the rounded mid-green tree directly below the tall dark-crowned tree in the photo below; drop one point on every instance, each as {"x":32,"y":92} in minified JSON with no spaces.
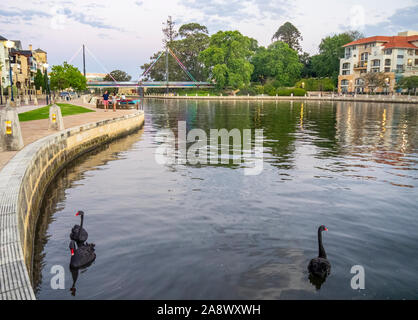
{"x":276,"y":62}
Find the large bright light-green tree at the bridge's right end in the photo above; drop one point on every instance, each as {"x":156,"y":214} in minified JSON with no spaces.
{"x":227,"y":59}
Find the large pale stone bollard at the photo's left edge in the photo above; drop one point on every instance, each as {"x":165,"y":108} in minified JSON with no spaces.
{"x":10,"y":133}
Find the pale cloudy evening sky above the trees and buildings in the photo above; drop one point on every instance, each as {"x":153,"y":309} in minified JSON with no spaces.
{"x":123,"y":34}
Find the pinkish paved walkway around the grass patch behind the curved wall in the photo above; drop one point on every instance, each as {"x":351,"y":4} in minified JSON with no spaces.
{"x":34,"y":130}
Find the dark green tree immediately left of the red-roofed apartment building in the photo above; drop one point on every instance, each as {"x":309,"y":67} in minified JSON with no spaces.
{"x":327,"y":62}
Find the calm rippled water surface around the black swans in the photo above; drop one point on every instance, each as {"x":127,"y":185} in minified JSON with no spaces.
{"x":210,"y":232}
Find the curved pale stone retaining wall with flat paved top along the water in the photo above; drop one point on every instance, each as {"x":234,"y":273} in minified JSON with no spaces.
{"x":23,"y":182}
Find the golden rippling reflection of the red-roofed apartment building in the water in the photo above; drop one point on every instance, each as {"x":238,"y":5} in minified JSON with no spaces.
{"x":381,"y":133}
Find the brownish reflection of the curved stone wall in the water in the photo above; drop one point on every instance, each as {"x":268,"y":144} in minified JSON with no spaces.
{"x":55,"y":194}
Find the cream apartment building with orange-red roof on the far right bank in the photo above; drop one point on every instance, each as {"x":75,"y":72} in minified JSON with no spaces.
{"x":395,"y":56}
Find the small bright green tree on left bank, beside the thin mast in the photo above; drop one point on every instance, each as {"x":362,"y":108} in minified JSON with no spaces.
{"x":67,"y":76}
